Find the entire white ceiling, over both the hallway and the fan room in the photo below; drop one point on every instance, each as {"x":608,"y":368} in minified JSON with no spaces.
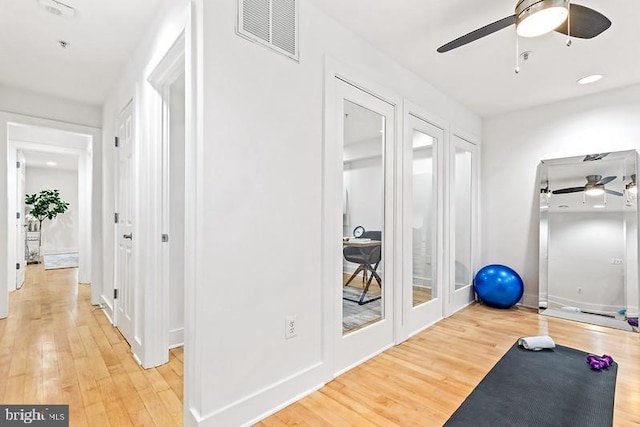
{"x":480,"y":75}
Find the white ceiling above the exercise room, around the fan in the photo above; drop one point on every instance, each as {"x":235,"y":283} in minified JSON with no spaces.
{"x":481,"y":74}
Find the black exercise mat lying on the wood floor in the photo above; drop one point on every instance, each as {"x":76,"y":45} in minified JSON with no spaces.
{"x":540,"y":388}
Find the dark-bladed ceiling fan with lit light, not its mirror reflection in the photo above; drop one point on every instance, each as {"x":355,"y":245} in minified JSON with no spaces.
{"x":536,"y":17}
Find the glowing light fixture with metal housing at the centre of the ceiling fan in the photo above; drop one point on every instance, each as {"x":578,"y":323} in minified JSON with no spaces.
{"x":537,"y":17}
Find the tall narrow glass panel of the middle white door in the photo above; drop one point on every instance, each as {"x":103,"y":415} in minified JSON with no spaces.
{"x":423,"y":214}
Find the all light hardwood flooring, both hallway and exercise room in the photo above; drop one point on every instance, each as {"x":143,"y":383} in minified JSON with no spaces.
{"x":57,"y":348}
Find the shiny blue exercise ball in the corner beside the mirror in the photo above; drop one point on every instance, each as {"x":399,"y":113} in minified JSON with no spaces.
{"x":498,"y":286}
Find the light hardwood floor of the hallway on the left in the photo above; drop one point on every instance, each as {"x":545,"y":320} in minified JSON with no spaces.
{"x":56,"y":347}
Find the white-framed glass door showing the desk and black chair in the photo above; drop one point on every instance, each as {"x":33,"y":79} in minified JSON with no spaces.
{"x":363,"y":164}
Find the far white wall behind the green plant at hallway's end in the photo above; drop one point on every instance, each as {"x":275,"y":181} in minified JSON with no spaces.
{"x":59,"y":235}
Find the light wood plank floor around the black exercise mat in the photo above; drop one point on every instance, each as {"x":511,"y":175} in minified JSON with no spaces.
{"x":423,"y":381}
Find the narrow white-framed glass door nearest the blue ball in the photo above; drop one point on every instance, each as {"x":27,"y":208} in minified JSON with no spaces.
{"x":463,"y":211}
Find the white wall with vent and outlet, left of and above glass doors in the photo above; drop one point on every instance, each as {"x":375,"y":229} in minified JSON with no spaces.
{"x":260,"y":168}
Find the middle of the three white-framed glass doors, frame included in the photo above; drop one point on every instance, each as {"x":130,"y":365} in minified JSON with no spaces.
{"x":422,"y":223}
